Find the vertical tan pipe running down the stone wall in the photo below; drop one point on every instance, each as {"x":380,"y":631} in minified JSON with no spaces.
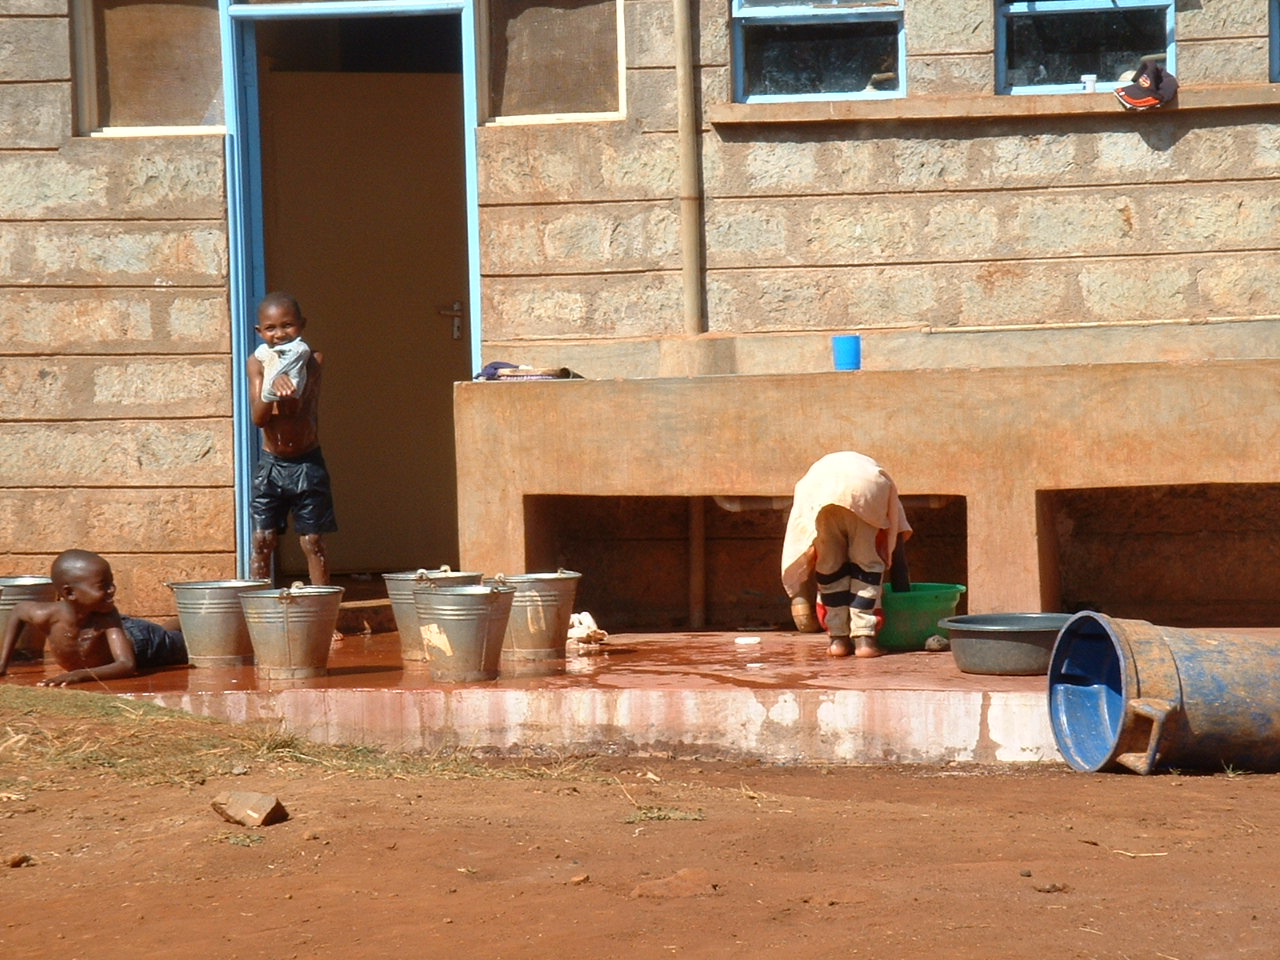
{"x":688,"y":134}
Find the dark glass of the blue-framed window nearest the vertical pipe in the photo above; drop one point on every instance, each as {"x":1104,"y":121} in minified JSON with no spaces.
{"x":838,"y":58}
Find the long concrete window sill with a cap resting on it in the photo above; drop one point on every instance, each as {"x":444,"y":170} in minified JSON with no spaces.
{"x":985,"y":107}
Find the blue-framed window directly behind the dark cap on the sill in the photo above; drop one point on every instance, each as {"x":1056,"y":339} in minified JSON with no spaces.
{"x":1050,"y":47}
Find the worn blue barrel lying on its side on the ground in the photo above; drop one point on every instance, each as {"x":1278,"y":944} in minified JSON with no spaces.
{"x":1127,"y":694}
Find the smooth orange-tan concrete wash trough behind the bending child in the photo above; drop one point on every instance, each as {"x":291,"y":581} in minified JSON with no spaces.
{"x":996,"y":437}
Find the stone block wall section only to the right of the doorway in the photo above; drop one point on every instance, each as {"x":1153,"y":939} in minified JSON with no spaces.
{"x":890,"y":227}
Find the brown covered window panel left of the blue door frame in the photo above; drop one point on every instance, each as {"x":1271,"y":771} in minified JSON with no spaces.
{"x":154,"y":65}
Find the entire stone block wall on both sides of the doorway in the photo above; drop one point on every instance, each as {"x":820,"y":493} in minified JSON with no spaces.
{"x":953,"y":227}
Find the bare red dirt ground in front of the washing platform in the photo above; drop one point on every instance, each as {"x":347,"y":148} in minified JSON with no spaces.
{"x":634,"y":858}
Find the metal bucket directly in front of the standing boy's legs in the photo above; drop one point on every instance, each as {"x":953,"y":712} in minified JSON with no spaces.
{"x":291,"y":630}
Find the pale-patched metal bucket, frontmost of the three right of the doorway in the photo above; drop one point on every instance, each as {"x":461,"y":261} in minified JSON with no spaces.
{"x":461,"y":629}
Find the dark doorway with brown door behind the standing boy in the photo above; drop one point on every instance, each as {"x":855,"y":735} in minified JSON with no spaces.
{"x":364,"y":213}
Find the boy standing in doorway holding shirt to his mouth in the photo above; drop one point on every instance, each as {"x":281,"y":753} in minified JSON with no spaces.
{"x":285,"y":400}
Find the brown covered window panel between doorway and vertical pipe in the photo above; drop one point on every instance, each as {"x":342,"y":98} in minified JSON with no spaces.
{"x":554,"y":58}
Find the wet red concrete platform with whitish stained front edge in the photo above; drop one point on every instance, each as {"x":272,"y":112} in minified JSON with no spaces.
{"x":706,"y":694}
